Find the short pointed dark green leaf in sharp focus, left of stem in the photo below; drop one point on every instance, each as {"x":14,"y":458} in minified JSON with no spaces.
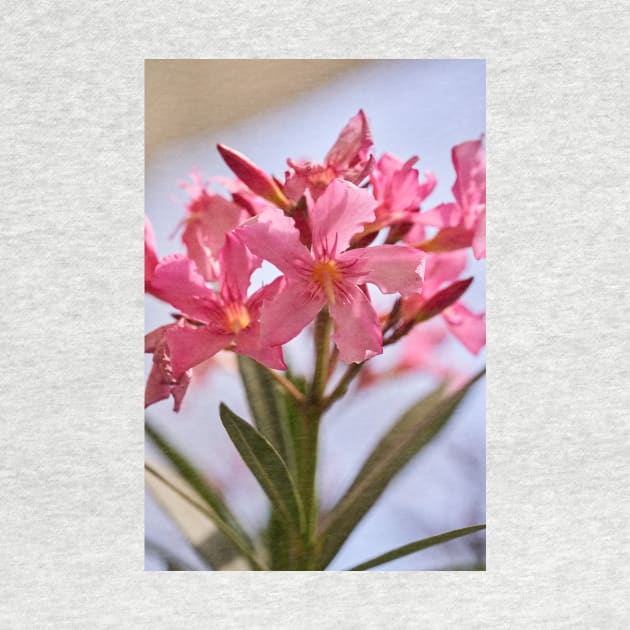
{"x":266,"y":465}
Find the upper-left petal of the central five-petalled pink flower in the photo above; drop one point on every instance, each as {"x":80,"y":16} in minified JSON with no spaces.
{"x":273,"y":236}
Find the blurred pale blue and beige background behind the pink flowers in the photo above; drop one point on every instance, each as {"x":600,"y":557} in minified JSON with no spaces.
{"x":271,"y":110}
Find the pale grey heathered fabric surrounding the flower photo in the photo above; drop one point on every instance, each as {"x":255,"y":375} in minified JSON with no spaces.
{"x":72,"y":443}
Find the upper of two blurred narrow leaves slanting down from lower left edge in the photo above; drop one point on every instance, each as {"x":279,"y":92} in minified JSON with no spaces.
{"x":215,"y":508}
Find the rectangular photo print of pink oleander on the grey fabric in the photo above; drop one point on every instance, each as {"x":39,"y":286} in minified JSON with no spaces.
{"x":314,"y":251}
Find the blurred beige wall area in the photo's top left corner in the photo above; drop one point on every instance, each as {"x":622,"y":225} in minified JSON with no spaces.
{"x":188,"y":97}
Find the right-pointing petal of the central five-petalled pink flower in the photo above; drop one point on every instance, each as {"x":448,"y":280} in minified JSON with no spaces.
{"x":392,"y":268}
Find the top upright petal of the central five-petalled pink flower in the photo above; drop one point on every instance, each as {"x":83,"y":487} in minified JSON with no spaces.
{"x":340,"y":213}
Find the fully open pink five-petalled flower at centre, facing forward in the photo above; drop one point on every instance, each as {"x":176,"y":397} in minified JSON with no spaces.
{"x":328,"y":274}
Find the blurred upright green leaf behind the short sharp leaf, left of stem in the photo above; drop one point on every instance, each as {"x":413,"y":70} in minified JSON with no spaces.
{"x":267,"y":407}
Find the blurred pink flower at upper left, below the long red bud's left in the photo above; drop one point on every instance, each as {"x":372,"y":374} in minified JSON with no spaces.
{"x":209,"y":217}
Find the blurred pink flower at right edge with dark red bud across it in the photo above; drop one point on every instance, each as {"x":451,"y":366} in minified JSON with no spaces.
{"x":441,"y":269}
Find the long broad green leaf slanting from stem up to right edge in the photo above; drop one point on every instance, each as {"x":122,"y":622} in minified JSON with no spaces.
{"x":406,"y":438}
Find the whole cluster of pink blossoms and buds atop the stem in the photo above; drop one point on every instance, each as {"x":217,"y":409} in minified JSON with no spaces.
{"x":331,"y":229}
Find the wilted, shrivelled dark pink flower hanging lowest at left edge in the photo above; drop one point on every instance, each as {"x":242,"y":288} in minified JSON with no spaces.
{"x":162,"y":382}
